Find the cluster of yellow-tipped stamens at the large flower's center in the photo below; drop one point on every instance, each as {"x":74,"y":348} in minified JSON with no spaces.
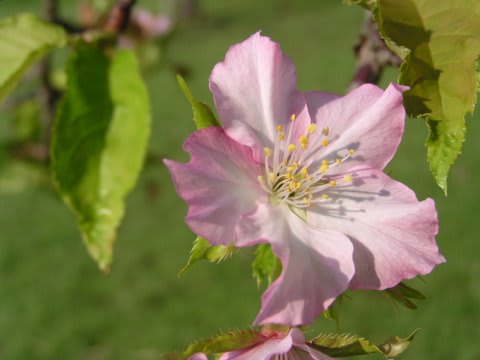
{"x":290,"y":176}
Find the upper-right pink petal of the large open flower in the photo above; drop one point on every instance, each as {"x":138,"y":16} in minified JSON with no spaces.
{"x":368,"y":120}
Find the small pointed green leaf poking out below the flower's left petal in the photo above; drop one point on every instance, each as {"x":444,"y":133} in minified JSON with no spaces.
{"x":202,"y":250}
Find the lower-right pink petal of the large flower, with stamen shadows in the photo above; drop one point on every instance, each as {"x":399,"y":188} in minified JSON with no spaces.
{"x":393,"y":234}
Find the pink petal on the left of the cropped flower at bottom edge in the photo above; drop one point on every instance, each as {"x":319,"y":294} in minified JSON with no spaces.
{"x":263,"y":351}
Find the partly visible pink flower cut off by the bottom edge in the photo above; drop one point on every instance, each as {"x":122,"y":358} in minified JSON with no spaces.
{"x":277,"y":346}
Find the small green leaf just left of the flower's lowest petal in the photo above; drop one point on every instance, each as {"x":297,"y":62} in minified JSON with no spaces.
{"x":265,"y":266}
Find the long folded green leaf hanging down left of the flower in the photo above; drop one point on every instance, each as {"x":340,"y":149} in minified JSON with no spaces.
{"x":100,"y":137}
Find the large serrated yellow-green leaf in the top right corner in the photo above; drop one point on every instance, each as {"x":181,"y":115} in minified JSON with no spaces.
{"x":439,"y":41}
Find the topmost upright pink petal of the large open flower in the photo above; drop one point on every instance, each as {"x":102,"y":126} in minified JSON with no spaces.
{"x":255,"y":89}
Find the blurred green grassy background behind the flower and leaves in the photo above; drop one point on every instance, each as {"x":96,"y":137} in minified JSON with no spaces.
{"x":55,"y":304}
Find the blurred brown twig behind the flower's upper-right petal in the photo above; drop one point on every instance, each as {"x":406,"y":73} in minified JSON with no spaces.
{"x":373,"y":56}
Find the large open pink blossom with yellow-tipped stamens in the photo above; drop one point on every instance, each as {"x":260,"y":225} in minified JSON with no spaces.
{"x":303,"y":172}
